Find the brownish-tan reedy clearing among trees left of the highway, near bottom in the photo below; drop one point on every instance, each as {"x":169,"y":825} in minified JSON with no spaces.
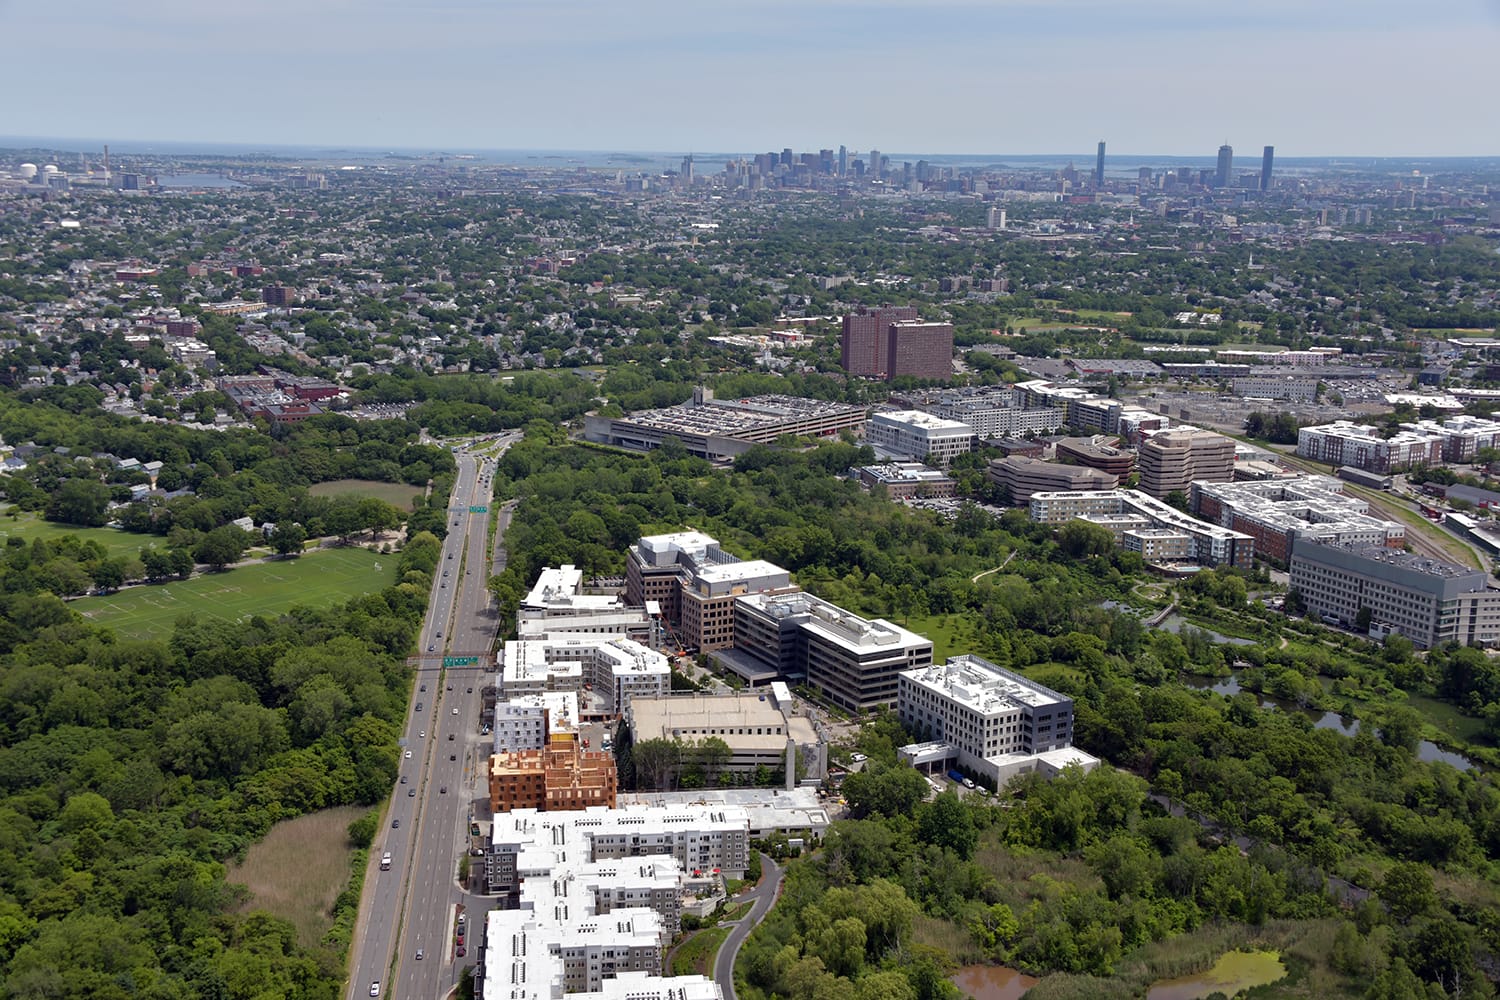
{"x":299,"y":870}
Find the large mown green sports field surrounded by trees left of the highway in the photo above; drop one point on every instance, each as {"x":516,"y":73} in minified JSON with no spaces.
{"x":268,"y":588}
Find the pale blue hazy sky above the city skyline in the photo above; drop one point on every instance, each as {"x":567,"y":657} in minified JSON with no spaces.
{"x":1150,"y":77}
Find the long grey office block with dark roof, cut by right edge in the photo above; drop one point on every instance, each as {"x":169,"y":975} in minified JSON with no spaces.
{"x":1427,"y":600}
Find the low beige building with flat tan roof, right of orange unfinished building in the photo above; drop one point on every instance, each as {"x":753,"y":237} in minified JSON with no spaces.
{"x":758,"y":726}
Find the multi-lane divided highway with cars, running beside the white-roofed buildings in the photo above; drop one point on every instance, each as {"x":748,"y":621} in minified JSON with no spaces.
{"x":442,"y":785}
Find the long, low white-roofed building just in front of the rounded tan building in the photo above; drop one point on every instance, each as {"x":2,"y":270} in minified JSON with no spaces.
{"x":1129,"y":510}
